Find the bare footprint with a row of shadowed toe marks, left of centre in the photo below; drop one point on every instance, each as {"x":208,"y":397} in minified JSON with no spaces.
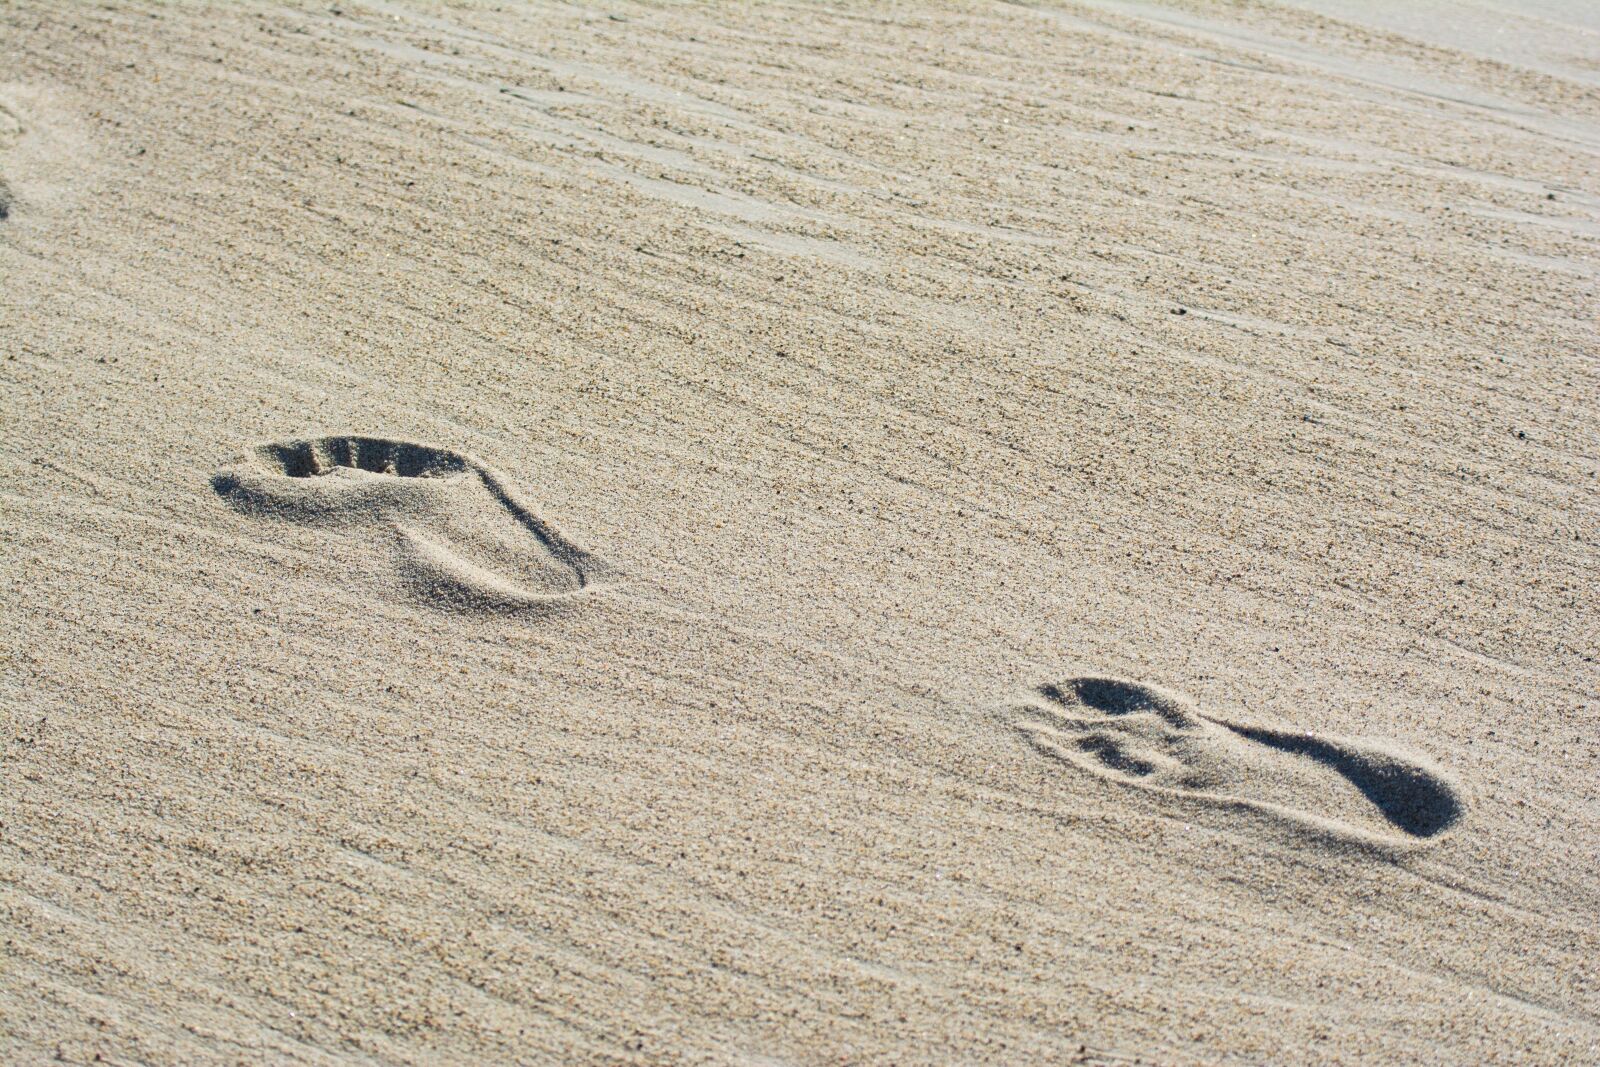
{"x":462,"y":537}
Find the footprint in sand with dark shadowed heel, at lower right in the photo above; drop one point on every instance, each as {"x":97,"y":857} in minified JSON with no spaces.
{"x":1161,"y":741}
